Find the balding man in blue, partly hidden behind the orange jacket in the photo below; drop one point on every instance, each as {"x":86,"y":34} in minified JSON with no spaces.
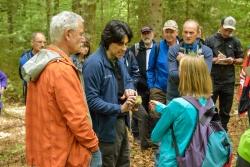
{"x":38,"y":42}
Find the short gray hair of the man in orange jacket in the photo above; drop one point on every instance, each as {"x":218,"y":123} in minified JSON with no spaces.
{"x":62,"y":21}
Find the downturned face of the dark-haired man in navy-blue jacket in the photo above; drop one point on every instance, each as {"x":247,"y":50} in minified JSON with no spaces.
{"x":117,"y":50}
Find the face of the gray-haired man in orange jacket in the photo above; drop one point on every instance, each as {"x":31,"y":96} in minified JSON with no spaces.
{"x":75,"y":38}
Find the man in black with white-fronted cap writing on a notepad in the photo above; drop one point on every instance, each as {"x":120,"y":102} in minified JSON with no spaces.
{"x":227,"y":52}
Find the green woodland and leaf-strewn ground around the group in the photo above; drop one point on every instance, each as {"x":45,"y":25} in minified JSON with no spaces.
{"x":19,"y":18}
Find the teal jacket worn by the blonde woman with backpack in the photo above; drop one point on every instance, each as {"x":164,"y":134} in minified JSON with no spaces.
{"x":181,"y":115}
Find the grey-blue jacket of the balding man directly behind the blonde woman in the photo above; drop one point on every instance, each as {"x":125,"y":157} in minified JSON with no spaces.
{"x":173,"y":78}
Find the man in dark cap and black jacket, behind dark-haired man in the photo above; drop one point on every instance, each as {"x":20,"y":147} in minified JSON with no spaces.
{"x":136,"y":60}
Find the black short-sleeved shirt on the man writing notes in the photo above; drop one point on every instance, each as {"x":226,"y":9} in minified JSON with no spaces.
{"x":230,"y":47}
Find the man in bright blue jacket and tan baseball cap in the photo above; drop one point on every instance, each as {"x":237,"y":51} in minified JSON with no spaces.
{"x":157,"y":73}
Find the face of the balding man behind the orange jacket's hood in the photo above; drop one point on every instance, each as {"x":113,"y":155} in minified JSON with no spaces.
{"x":38,"y":43}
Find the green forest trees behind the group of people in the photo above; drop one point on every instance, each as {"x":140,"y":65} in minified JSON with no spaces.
{"x":19,"y":18}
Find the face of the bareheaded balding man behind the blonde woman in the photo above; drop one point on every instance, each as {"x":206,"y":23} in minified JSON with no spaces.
{"x":190,"y":32}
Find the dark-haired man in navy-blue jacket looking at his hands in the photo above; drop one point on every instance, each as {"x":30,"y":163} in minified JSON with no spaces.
{"x":110,"y":93}
